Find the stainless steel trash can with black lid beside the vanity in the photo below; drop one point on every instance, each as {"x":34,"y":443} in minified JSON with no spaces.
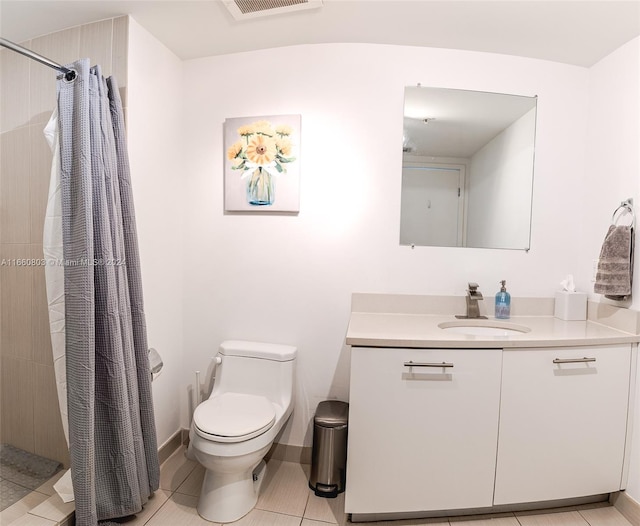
{"x":329,"y":454}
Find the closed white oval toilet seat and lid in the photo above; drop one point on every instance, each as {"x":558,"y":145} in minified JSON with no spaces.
{"x":233,"y":417}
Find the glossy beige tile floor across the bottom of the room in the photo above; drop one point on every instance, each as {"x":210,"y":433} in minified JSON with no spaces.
{"x":286,"y":500}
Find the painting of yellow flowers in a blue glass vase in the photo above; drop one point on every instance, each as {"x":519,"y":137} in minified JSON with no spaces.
{"x":262,"y":164}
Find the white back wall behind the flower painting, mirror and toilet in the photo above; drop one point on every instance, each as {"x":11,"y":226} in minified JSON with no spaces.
{"x":289,"y":278}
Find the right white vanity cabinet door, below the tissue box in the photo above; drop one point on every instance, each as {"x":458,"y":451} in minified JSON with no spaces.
{"x":562,"y":423}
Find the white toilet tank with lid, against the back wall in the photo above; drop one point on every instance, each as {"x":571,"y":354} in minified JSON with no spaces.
{"x":257,"y":368}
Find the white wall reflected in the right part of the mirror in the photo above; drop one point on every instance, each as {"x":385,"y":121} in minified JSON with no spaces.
{"x":500,"y":188}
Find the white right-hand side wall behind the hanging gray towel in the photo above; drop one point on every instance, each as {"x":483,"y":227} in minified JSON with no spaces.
{"x":613,"y":174}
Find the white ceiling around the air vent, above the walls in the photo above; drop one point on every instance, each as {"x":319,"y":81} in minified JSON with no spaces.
{"x":573,"y":32}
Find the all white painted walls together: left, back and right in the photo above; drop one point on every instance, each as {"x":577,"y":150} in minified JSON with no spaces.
{"x":289,"y":278}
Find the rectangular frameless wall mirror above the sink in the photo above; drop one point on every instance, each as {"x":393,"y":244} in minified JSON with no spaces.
{"x":467,"y":168}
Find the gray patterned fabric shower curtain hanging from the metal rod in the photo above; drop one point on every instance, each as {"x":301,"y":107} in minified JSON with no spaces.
{"x":112,"y":437}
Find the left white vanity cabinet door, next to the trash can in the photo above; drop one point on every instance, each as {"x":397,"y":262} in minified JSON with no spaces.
{"x":422,"y":437}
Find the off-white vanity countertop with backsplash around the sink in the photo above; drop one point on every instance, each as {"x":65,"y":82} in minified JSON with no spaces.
{"x":376,"y":328}
